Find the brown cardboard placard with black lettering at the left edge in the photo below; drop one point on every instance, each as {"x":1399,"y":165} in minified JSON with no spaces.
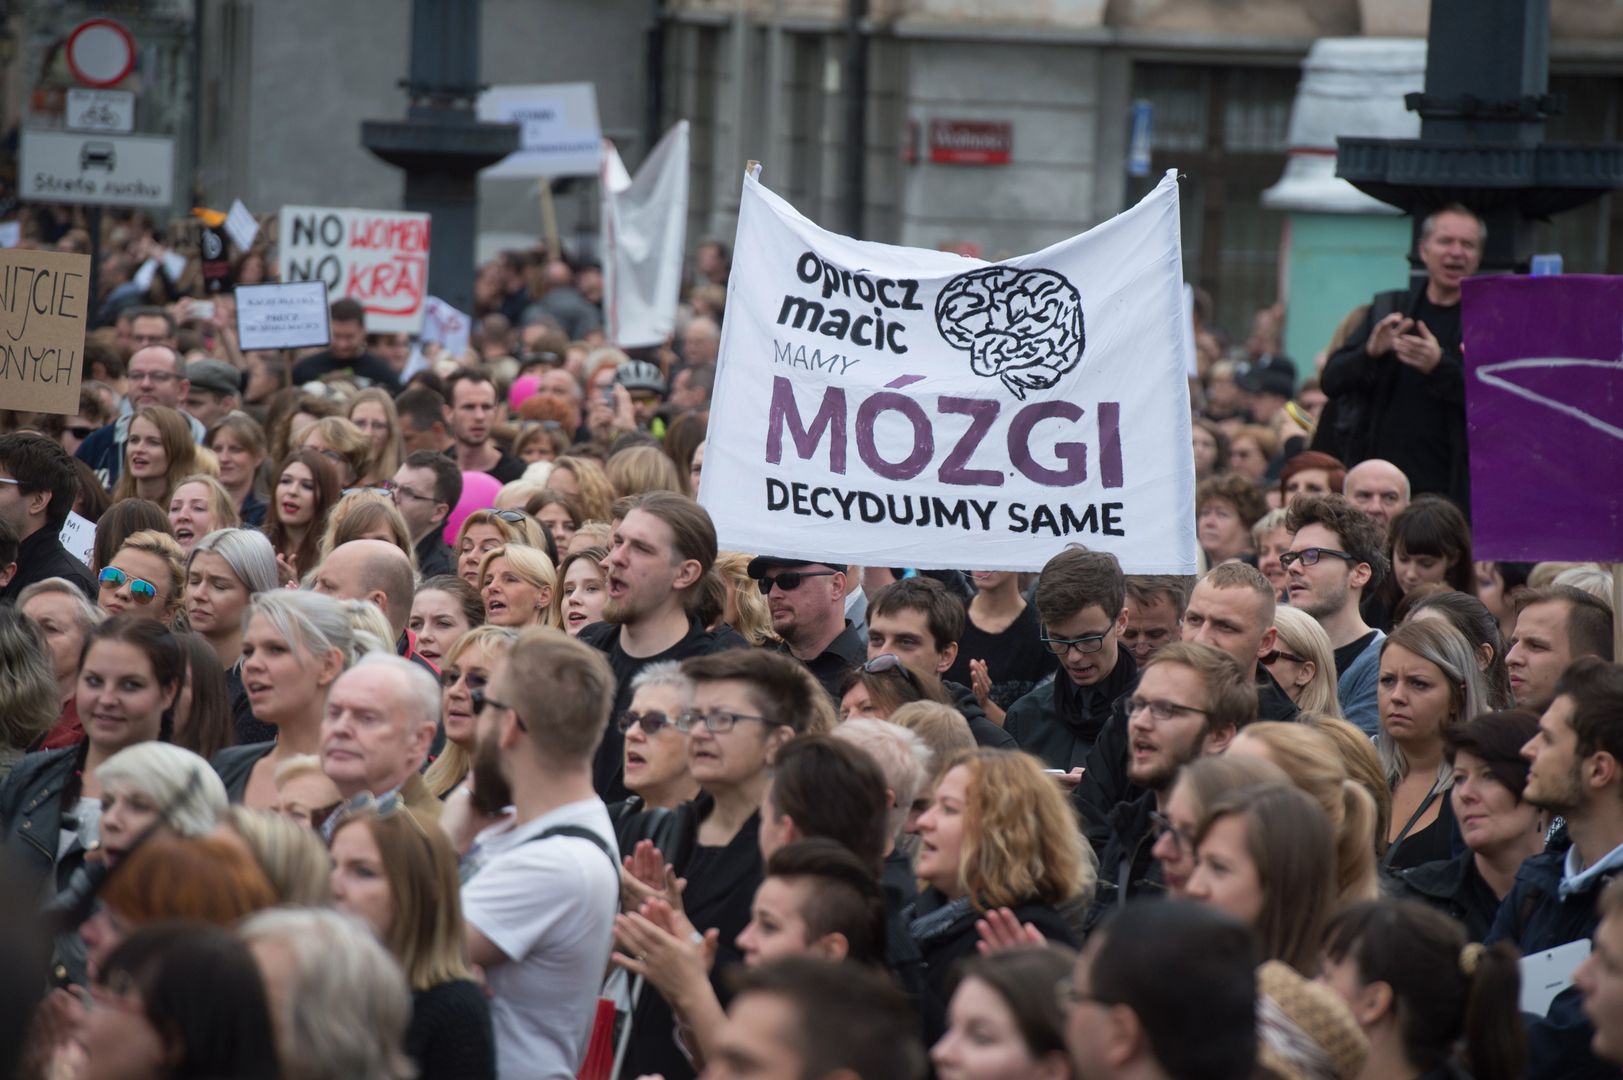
{"x":45,"y":301}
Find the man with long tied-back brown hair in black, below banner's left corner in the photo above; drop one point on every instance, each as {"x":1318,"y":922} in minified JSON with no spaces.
{"x":660,"y":556}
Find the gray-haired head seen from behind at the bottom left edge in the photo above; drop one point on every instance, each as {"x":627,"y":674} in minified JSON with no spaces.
{"x":338,"y":998}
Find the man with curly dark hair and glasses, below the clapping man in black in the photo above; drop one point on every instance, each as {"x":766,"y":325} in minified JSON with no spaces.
{"x":1337,"y":559}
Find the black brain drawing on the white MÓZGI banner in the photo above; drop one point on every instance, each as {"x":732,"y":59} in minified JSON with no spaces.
{"x":1020,"y":326}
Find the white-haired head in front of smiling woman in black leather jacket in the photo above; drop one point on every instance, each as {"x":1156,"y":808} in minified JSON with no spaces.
{"x":157,"y":787}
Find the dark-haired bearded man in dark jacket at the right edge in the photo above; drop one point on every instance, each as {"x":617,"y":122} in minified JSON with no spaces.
{"x":1577,"y":772}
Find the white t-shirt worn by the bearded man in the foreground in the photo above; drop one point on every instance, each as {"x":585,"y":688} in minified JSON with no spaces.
{"x":549,"y":905}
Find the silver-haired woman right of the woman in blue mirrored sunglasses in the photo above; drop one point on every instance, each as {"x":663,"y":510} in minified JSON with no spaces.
{"x":225,"y":571}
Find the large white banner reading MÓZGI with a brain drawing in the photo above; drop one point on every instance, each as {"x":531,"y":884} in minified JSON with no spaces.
{"x":893,"y":407}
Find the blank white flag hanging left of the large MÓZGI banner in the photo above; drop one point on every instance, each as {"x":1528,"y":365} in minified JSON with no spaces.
{"x":645,"y":222}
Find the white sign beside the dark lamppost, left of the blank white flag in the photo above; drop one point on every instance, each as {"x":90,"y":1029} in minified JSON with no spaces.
{"x":559,"y":129}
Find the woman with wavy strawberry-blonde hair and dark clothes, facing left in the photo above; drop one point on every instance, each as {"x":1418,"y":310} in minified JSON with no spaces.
{"x":999,"y":834}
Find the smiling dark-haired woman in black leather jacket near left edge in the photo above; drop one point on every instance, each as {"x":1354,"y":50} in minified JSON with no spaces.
{"x":129,"y":681}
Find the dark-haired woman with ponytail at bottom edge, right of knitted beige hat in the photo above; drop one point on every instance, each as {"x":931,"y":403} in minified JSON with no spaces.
{"x":1432,"y":1004}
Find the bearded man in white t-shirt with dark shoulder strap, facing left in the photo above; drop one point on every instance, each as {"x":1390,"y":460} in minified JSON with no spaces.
{"x":541,"y":902}
